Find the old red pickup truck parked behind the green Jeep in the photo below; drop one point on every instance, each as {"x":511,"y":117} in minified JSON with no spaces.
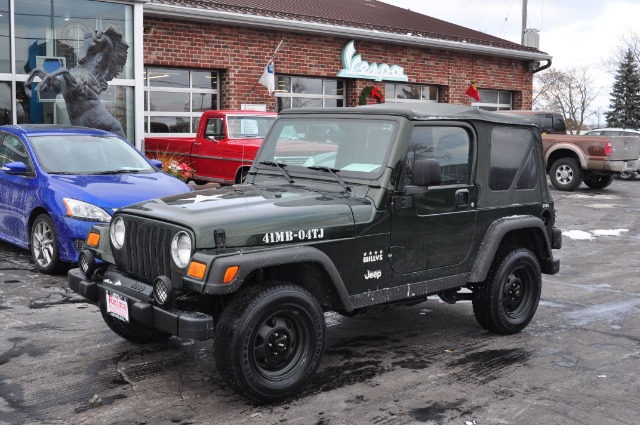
{"x":224,"y":146}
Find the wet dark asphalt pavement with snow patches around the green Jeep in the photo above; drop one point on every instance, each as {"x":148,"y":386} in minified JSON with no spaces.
{"x":431,"y":363}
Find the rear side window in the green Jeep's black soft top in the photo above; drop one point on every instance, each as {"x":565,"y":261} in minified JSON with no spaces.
{"x":511,"y":156}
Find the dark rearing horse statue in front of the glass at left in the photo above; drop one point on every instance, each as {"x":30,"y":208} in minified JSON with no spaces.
{"x":101,"y":58}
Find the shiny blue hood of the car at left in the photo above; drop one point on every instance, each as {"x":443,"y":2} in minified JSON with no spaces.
{"x":118,"y":190}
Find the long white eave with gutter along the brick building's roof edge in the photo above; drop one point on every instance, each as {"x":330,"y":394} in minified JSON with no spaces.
{"x":280,"y":24}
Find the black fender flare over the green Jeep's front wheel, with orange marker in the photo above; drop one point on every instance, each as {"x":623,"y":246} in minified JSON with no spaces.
{"x":252,"y":261}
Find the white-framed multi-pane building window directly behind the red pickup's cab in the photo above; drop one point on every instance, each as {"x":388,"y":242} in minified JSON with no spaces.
{"x":175,"y":98}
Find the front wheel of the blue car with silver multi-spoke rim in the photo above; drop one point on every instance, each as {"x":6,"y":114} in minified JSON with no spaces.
{"x":44,"y":245}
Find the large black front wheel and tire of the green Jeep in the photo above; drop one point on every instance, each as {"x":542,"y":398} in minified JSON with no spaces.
{"x":269,"y":341}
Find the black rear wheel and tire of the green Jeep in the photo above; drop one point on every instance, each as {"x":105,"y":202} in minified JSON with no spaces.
{"x":507,"y":300}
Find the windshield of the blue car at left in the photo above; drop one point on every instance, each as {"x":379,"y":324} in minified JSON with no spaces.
{"x":87,"y":154}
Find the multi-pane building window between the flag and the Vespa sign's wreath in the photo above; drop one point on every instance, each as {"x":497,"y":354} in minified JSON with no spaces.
{"x":303,"y":92}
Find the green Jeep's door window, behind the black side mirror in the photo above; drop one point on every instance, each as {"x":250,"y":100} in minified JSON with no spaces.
{"x":449,"y":145}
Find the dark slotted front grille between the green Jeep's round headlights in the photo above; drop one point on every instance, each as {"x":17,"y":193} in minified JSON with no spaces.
{"x":146,"y":251}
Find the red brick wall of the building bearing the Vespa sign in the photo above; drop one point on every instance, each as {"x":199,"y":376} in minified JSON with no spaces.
{"x":241,"y":54}
